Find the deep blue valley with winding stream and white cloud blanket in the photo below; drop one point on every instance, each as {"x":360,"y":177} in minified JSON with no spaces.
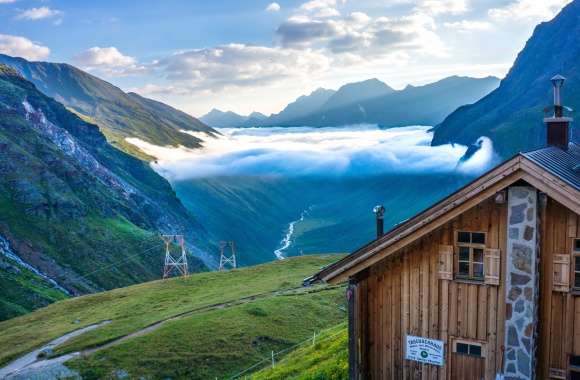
{"x":281,"y":192}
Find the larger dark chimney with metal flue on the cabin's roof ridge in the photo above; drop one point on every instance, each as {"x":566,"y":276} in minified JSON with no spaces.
{"x":558,"y":126}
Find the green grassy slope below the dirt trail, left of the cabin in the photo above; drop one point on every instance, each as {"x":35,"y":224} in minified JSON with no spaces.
{"x":219,"y":343}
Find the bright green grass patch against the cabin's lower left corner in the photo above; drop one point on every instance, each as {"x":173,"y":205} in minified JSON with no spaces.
{"x":327,"y":359}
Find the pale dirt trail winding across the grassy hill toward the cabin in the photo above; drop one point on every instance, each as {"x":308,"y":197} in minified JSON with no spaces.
{"x":53,"y":368}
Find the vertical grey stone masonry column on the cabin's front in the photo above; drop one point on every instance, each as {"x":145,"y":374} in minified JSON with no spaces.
{"x":521,"y":283}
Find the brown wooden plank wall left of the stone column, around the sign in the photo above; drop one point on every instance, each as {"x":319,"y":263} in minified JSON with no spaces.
{"x":405,"y":296}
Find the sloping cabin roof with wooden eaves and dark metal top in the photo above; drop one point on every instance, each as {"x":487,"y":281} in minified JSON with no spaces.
{"x":550,"y":170}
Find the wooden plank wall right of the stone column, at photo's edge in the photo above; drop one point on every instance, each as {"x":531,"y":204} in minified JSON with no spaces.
{"x":559,"y":311}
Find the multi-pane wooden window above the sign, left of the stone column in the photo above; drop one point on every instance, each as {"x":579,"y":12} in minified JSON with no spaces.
{"x":470,"y":253}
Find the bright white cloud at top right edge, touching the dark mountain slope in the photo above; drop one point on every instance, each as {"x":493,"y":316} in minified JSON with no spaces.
{"x":534,"y":10}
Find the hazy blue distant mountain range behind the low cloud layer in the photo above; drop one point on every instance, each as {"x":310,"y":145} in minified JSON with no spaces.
{"x":369,"y":102}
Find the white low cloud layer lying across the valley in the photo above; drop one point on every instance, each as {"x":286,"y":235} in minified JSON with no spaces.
{"x":357,"y":151}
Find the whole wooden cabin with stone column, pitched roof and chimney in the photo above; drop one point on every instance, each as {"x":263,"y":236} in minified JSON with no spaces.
{"x":483,"y":285}
